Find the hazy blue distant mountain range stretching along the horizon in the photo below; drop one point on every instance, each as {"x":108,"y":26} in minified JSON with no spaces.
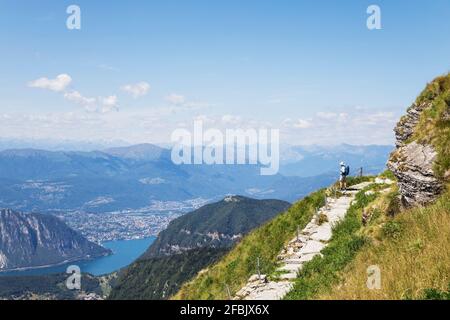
{"x":132,"y":177}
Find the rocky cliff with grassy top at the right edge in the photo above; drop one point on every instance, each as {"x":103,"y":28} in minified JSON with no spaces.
{"x":420,"y":161}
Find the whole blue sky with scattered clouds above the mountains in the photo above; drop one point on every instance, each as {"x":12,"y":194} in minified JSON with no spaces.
{"x":310,"y":68}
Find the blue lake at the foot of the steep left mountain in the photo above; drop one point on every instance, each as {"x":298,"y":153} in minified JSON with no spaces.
{"x":124,"y":253}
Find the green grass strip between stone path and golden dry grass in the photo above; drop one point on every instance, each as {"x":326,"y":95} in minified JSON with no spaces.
{"x":321,"y":273}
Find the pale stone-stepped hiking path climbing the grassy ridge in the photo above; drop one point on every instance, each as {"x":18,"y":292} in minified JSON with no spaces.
{"x":301,"y":249}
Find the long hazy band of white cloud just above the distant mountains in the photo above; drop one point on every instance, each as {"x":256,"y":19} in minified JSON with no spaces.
{"x":157,"y":124}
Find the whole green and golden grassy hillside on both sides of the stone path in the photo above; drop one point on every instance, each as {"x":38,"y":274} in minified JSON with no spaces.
{"x":410,"y":248}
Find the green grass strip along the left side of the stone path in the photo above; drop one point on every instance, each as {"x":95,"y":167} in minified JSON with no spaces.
{"x":264,"y":243}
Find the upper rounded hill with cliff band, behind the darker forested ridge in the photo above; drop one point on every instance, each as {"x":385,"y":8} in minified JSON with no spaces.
{"x":219,"y":224}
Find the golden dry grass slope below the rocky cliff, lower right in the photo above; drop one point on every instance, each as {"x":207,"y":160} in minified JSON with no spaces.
{"x":412,"y":251}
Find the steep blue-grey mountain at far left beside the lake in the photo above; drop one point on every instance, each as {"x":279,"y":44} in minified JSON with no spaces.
{"x":34,"y":240}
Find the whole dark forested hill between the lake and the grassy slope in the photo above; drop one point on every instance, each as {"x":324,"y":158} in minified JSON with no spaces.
{"x":190,"y":243}
